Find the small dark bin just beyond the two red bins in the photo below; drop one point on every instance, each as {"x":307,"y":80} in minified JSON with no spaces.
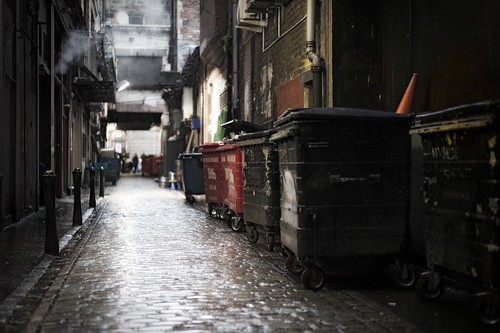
{"x":192,"y":175}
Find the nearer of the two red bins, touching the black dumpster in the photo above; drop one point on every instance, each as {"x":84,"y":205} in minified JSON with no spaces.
{"x":232,"y":183}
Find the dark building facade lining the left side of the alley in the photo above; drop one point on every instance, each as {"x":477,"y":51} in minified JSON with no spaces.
{"x":57,"y":75}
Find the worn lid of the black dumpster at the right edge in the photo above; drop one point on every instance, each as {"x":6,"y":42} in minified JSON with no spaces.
{"x":458,"y":117}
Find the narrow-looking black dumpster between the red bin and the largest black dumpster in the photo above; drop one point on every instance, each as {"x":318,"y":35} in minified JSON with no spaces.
{"x":261,"y":187}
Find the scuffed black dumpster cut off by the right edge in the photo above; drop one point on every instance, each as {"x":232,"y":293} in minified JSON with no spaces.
{"x":461,"y":194}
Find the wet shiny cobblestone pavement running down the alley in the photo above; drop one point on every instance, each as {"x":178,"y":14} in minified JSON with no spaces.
{"x":153,"y":263}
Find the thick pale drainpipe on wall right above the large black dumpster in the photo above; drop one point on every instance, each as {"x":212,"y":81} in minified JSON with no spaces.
{"x":314,"y":58}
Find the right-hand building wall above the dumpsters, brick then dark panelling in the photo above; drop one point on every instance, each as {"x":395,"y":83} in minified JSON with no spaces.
{"x":274,"y":55}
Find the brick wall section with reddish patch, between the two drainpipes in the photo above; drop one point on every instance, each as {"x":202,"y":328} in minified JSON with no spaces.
{"x":279,"y":60}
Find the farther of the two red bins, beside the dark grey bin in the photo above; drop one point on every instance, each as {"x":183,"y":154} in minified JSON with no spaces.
{"x":215,"y":189}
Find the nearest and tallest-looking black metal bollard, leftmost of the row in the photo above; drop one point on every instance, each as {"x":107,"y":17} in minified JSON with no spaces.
{"x":51,"y":239}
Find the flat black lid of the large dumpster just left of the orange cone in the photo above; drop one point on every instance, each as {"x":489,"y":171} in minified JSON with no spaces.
{"x":338,"y":113}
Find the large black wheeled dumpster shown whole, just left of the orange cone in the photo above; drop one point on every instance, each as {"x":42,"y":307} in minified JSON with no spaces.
{"x":345,"y":177}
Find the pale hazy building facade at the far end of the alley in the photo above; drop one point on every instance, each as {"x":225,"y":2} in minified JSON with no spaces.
{"x":152,"y":41}
